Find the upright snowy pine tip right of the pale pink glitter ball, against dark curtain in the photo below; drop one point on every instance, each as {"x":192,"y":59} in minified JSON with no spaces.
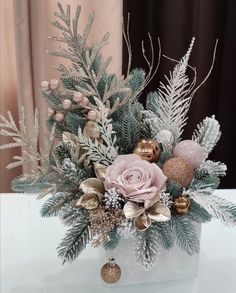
{"x":207,"y":134}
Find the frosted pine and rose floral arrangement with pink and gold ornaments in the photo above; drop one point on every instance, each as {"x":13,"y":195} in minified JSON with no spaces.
{"x":112,"y":168}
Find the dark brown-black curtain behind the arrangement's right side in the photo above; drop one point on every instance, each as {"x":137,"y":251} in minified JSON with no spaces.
{"x":175,"y":22}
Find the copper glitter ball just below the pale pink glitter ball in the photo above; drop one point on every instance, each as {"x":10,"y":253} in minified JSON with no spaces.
{"x":178,"y":170}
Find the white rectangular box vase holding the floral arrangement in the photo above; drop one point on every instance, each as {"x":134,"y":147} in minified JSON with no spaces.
{"x":172,"y":264}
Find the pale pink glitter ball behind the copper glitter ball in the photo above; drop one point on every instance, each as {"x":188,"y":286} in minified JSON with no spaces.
{"x":190,"y":151}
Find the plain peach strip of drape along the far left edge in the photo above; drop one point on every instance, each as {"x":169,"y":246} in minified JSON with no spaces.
{"x":8,"y":91}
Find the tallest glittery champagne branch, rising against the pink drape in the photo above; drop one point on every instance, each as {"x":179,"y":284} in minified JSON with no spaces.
{"x":88,"y":61}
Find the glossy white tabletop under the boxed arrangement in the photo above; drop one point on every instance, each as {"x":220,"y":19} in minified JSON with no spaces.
{"x":29,"y":262}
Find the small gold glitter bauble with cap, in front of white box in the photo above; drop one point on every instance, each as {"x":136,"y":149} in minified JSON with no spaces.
{"x":110,"y":272}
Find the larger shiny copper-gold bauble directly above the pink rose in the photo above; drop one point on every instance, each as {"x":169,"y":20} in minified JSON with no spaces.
{"x":148,"y":150}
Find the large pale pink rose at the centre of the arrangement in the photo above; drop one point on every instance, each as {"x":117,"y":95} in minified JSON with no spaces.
{"x":137,"y":179}
